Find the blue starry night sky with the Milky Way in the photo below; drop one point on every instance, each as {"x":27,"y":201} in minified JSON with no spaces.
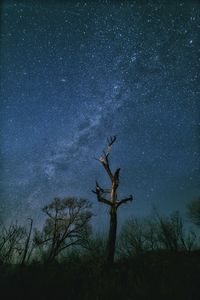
{"x":74,"y":73}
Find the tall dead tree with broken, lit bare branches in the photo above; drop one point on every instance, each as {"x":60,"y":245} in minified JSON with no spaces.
{"x":112,"y":201}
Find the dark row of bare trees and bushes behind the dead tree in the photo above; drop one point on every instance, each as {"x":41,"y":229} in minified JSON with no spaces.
{"x":68,"y":227}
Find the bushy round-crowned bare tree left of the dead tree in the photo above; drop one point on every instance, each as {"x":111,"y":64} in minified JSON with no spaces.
{"x":67,"y":224}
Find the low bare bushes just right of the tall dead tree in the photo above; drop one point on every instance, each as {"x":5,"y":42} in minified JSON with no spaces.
{"x":140,"y":235}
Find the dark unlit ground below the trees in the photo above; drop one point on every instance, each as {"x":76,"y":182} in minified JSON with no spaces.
{"x":159,"y":275}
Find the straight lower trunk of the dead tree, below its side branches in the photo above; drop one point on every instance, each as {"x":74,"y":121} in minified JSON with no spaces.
{"x":112,"y":235}
